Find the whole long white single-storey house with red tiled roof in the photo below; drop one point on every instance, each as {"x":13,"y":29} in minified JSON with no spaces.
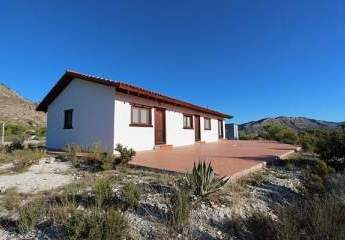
{"x":85,"y":110}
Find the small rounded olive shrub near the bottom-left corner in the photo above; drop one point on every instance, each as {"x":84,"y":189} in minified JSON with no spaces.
{"x":30,"y":214}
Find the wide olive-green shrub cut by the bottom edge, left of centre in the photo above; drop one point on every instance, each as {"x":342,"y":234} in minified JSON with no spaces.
{"x":96,"y":224}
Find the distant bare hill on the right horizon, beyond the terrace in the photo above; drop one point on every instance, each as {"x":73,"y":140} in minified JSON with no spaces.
{"x":296,"y":123}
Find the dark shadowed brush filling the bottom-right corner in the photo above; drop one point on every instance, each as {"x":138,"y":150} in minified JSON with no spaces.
{"x":311,"y":219}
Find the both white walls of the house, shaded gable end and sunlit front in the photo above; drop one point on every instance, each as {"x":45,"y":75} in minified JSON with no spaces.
{"x":102,"y":115}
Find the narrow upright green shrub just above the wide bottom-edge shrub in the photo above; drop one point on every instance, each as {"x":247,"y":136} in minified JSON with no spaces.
{"x":103,"y":192}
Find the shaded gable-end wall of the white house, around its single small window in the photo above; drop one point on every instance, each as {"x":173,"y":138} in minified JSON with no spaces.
{"x":93,"y":116}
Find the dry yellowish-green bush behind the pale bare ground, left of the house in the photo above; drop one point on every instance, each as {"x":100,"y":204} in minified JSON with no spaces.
{"x":25,"y":158}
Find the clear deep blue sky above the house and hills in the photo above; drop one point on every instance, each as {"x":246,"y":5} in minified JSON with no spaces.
{"x":251,"y":59}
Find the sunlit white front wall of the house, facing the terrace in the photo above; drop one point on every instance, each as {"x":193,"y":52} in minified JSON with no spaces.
{"x":143,"y":138}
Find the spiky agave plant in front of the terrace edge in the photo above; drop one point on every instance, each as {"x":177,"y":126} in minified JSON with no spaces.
{"x":204,"y":181}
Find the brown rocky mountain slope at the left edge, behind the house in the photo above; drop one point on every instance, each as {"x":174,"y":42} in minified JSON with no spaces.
{"x":16,"y":109}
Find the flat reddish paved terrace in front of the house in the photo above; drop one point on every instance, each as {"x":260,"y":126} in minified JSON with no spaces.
{"x":228,"y":158}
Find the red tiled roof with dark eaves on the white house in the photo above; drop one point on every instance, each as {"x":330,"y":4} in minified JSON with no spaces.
{"x":121,"y":87}
